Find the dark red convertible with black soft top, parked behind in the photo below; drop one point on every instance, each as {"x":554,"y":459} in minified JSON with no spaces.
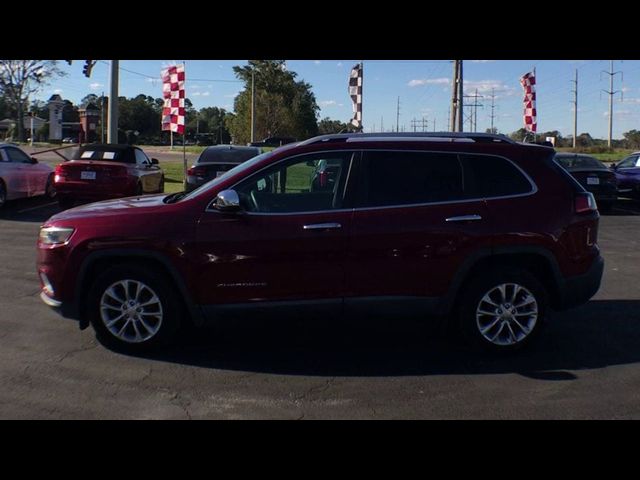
{"x":100,"y":171}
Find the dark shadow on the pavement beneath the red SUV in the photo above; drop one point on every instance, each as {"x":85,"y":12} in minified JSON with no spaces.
{"x":595,"y":335}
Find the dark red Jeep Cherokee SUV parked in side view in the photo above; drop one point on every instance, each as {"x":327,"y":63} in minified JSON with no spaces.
{"x":476,"y":229}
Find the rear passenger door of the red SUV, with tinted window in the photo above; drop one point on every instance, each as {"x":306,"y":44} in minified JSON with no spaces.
{"x":414,"y":224}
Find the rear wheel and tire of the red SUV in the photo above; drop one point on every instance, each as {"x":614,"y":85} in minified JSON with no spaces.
{"x":502,"y":310}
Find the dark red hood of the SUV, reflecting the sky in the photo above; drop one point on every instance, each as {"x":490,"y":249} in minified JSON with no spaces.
{"x":113,"y":208}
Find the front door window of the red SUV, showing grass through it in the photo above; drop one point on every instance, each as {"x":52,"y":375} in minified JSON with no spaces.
{"x":306,"y":183}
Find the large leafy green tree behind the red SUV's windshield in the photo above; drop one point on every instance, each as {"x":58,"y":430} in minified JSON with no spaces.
{"x":284,"y":106}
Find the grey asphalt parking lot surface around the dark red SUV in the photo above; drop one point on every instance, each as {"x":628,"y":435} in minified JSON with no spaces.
{"x":586,"y":365}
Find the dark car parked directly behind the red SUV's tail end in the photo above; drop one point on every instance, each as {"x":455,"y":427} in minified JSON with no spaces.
{"x":593,"y":175}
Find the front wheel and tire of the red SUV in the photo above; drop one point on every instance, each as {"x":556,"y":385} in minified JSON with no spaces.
{"x":149,"y":320}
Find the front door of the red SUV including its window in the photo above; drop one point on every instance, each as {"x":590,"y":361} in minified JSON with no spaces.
{"x":288,"y":244}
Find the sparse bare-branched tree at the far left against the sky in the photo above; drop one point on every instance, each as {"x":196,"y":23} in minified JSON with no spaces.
{"x":21,"y":79}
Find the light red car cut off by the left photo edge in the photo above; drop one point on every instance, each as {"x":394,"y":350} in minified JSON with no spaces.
{"x":22,"y":175}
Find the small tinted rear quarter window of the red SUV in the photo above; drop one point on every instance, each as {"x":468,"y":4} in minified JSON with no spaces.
{"x":489,"y":176}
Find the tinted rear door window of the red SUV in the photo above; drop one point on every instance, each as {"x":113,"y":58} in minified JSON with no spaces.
{"x":406,"y":178}
